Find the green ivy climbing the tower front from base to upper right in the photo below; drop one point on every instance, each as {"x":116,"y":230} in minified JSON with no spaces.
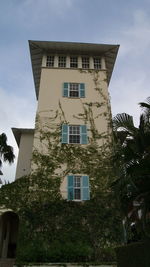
{"x":54,"y":229}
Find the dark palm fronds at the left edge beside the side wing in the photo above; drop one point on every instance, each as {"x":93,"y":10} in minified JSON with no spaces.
{"x":6,"y":151}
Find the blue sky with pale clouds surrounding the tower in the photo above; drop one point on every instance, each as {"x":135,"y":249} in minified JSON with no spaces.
{"x":126,"y":23}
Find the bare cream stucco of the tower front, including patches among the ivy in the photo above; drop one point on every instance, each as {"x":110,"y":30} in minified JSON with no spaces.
{"x":50,"y":94}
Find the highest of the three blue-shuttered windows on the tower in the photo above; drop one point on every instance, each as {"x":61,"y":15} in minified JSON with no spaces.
{"x":74,"y":90}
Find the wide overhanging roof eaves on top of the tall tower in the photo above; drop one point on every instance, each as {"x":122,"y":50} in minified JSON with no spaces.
{"x":38,"y":48}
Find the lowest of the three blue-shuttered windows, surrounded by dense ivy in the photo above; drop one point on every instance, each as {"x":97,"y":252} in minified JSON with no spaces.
{"x":78,"y":187}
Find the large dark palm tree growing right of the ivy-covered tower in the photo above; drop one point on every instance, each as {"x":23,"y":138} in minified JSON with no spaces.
{"x":132,"y":158}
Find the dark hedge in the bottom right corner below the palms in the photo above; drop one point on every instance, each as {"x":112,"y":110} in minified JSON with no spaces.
{"x":134,"y":255}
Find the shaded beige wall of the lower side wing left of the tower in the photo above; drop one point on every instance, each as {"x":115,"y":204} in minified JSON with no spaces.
{"x":25,"y":155}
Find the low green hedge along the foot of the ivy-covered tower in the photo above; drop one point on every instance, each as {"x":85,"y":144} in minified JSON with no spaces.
{"x":55,"y":252}
